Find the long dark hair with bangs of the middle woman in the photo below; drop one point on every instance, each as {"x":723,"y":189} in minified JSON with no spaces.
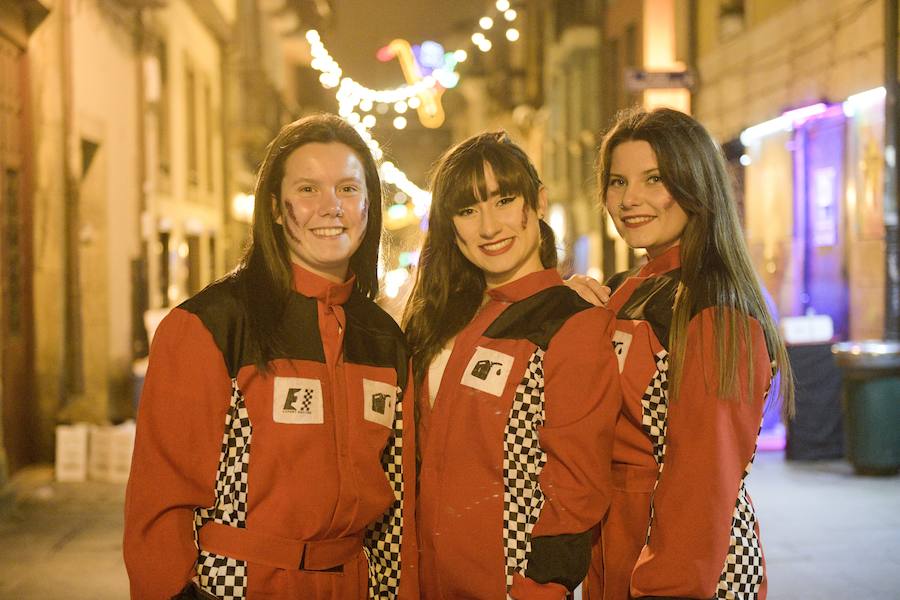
{"x":448,"y":288}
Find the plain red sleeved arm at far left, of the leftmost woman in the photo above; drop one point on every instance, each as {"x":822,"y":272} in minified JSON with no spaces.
{"x":179,"y":437}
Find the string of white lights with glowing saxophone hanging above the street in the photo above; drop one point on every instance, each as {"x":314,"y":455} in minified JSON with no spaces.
{"x":428,"y":72}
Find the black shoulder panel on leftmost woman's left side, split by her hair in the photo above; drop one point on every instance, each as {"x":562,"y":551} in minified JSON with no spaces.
{"x":219,"y":308}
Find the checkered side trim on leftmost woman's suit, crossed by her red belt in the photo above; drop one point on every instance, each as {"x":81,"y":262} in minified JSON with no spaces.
{"x":222,"y":576}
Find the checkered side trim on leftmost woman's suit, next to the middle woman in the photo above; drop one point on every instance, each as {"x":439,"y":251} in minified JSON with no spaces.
{"x":384,"y":536}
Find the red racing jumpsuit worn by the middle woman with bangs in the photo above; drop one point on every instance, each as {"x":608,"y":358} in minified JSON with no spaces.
{"x":515,"y":470}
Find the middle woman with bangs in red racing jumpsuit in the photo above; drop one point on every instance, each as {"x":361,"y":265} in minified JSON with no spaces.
{"x":517,"y":388}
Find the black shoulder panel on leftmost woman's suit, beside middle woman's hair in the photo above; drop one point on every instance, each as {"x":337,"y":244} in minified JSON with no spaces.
{"x":373,"y":337}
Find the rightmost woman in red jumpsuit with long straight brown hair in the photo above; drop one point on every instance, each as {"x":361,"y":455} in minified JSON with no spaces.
{"x":696,"y":348}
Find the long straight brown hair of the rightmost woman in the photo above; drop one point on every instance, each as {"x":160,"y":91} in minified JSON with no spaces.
{"x":716,"y":268}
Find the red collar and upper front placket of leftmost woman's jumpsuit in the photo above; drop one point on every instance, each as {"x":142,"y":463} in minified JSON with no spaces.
{"x":330,"y":296}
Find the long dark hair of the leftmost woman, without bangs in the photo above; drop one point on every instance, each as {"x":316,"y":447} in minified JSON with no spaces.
{"x":264,"y":273}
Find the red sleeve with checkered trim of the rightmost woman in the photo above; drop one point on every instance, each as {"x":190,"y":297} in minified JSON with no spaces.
{"x":703,"y":540}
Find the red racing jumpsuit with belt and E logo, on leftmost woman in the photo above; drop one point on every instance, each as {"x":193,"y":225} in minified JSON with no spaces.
{"x":286,"y":484}
